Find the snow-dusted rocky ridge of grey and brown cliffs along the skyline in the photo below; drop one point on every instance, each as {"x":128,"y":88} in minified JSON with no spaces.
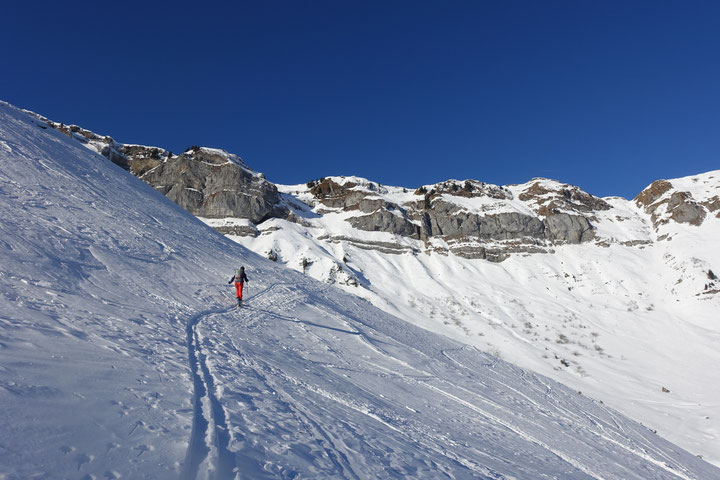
{"x":468,"y":218}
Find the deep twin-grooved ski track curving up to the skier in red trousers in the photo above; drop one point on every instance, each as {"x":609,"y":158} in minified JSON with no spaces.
{"x":203,"y":388}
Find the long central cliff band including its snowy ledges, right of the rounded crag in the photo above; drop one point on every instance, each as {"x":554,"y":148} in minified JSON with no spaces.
{"x":473,"y":219}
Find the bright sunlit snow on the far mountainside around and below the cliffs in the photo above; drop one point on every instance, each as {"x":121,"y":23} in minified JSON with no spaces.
{"x":630,"y":319}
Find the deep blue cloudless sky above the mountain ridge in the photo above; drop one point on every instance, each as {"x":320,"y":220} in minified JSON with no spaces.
{"x":607,"y":95}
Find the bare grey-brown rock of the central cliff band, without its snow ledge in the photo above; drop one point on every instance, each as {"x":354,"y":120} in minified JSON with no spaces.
{"x":435,"y":215}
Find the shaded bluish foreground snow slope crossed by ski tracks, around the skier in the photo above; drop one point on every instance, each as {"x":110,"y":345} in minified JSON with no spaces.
{"x":121,"y":356}
